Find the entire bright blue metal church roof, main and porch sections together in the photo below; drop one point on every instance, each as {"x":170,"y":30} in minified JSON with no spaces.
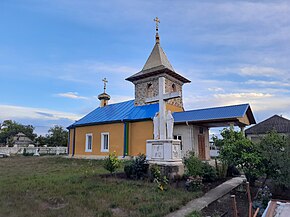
{"x":127,"y":111}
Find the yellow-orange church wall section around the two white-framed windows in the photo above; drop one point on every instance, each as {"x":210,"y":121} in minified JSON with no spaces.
{"x":116,"y":139}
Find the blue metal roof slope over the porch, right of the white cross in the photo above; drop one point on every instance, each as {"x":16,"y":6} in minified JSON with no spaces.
{"x":225,"y":112}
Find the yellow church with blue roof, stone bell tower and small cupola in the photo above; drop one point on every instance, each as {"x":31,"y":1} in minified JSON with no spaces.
{"x":124,"y":127}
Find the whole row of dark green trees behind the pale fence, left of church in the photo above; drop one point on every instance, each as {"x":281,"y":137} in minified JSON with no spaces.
{"x":56,"y":136}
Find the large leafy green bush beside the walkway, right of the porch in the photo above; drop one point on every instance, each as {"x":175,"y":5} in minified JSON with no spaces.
{"x":237,"y":150}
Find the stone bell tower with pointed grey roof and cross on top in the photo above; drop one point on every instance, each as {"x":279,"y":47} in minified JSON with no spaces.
{"x":157,"y":65}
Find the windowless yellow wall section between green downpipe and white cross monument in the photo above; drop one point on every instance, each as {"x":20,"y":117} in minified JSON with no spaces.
{"x":139,"y":132}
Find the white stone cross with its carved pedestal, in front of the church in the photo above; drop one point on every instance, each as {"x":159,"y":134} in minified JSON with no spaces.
{"x":164,"y":152}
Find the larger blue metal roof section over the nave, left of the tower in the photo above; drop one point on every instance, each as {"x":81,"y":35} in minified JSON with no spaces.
{"x":124,"y":111}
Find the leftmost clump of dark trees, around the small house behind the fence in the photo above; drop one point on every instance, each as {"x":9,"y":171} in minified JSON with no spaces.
{"x":11,"y":128}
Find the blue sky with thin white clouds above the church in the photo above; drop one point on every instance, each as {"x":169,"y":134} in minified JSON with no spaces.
{"x":55,"y":53}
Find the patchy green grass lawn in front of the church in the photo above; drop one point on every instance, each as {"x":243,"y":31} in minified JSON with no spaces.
{"x":55,"y":186}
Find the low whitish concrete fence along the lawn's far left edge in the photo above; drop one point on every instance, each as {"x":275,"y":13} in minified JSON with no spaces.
{"x":32,"y":150}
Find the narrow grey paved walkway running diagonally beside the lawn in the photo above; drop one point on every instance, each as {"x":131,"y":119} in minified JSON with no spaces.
{"x":214,"y":194}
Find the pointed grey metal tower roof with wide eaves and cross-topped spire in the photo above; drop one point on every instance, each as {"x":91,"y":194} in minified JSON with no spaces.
{"x":157,"y":63}
